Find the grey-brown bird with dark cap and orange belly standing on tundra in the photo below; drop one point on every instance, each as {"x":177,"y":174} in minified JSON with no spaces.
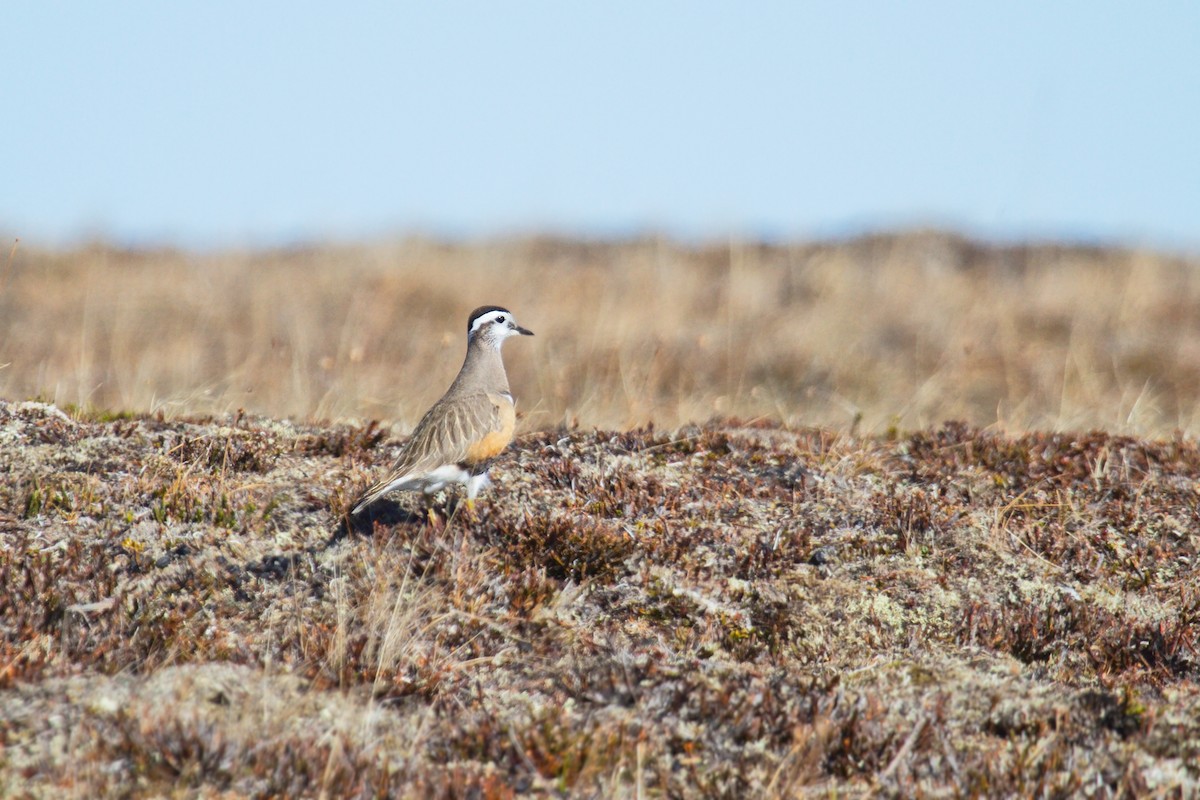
{"x":461,"y":436}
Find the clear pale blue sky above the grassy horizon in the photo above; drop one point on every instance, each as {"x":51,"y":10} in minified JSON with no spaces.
{"x":214,"y":124}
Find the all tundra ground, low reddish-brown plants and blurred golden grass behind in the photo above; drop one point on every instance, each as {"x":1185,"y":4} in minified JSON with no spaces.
{"x":903,"y":515}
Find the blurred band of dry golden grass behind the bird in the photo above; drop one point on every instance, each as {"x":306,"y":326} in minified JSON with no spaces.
{"x":892,"y":332}
